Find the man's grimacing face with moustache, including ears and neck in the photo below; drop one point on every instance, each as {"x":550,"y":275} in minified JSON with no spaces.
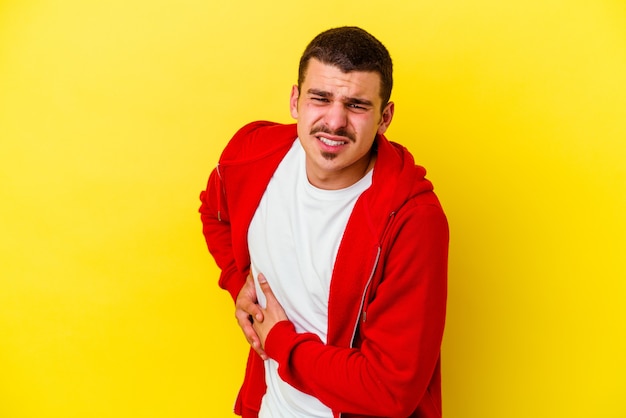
{"x":338,"y":115}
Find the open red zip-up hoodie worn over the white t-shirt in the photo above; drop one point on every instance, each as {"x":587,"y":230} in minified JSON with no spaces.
{"x":387,"y":301}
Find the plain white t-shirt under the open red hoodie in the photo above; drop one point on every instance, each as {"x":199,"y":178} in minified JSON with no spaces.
{"x":293,"y":240}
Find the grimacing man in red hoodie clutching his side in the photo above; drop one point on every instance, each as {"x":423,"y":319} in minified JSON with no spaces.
{"x":333,"y":246}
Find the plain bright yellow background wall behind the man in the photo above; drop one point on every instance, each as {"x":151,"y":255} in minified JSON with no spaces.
{"x":113,"y":112}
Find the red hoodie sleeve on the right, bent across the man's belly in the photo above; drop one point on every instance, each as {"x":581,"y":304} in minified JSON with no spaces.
{"x":397,"y":357}
